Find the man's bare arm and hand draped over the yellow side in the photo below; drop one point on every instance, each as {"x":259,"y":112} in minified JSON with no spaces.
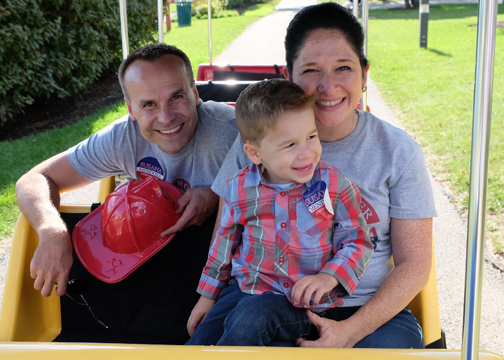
{"x":38,"y":195}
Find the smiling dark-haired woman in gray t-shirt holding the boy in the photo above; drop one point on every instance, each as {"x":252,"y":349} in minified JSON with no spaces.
{"x":324,"y":56}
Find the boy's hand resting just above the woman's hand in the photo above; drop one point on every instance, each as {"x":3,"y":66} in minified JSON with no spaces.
{"x":319,"y":284}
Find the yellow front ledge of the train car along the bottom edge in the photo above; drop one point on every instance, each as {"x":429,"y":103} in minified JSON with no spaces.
{"x":54,"y":351}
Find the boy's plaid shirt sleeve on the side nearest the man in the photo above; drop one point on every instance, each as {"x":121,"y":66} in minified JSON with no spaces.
{"x":217,"y":270}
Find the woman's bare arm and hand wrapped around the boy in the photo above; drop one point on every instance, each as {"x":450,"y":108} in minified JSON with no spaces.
{"x":412,"y":252}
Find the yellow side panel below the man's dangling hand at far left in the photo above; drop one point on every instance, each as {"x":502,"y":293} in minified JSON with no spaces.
{"x":25,"y":314}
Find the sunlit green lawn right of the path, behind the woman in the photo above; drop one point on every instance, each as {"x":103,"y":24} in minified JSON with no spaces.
{"x":432,"y":89}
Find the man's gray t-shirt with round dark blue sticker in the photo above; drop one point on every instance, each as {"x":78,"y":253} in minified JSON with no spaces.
{"x":120,"y":148}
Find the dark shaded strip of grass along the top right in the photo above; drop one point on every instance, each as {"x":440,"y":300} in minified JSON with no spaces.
{"x":436,"y":12}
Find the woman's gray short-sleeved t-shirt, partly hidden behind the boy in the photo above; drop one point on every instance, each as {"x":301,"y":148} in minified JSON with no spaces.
{"x":388,"y":167}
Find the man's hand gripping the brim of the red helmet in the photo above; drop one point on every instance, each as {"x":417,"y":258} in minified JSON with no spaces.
{"x":198,"y":205}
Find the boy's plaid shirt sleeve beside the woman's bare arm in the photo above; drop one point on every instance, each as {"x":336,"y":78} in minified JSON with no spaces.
{"x":352,"y":245}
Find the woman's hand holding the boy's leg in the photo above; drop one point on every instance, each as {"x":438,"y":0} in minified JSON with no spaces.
{"x":332,"y":333}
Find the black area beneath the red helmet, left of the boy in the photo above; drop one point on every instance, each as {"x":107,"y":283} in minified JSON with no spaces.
{"x":150,"y":306}
